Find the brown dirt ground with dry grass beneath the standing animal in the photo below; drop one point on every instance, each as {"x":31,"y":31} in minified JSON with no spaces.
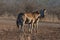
{"x":46,"y":31}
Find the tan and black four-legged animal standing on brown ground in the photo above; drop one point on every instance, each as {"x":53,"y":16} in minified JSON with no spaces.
{"x":30,"y":18}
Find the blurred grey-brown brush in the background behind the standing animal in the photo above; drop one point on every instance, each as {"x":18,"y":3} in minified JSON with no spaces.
{"x":13,"y":7}
